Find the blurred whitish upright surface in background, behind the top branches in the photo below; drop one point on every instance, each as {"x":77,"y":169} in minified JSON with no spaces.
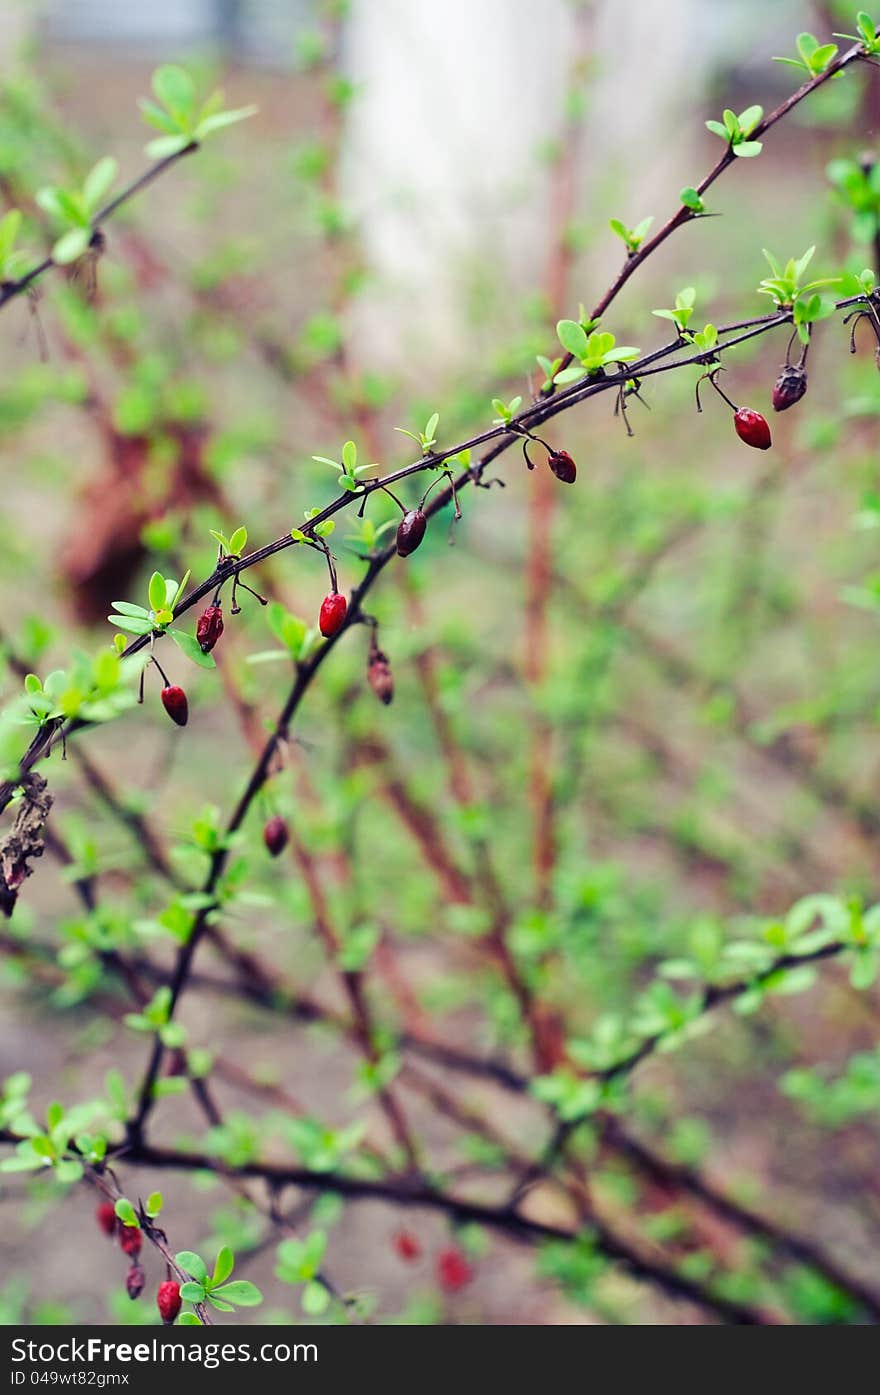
{"x":443,"y":154}
